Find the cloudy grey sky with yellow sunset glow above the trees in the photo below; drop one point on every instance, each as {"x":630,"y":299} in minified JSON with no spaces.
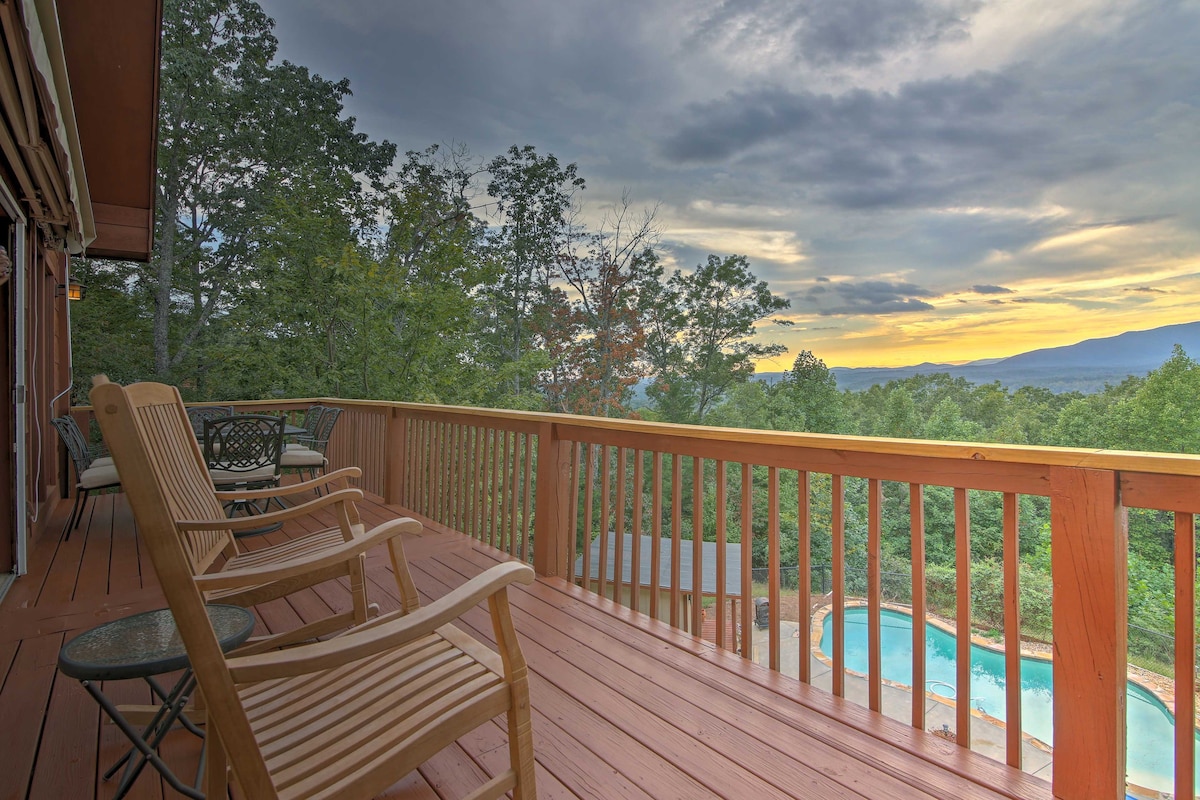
{"x":925,"y":181}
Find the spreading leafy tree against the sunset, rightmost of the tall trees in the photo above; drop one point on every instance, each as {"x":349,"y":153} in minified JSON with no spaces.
{"x":703,"y":336}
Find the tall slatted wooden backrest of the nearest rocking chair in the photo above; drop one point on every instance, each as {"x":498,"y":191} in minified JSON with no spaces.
{"x":166,"y":480}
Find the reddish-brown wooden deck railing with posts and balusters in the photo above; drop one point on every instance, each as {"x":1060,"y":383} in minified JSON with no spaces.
{"x":568,"y":492}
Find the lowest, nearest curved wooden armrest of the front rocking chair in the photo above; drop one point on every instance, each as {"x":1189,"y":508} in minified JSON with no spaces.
{"x":382,"y":634}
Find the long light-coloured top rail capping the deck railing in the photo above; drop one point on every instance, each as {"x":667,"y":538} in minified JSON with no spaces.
{"x":663,"y":434}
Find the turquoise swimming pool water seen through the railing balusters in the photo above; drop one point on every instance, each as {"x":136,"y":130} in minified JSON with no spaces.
{"x":1150,"y":750}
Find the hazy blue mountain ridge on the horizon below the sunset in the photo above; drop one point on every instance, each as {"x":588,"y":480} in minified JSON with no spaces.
{"x":1085,"y":368}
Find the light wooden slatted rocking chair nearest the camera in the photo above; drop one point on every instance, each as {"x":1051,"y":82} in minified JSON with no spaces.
{"x":345,"y":718}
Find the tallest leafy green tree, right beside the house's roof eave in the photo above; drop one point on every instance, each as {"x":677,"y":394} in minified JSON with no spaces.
{"x":238,"y":135}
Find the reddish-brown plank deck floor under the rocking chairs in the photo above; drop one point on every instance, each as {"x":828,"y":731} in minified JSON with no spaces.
{"x":625,"y":707}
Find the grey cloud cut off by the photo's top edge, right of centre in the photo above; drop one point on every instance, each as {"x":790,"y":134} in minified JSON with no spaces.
{"x":847,"y":32}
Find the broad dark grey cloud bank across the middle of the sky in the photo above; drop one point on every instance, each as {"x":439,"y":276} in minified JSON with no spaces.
{"x":922,"y":146}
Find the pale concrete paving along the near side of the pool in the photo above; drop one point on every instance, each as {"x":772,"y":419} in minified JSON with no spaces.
{"x":987,"y":738}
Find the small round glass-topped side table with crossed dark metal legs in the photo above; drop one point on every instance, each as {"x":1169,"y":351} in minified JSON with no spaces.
{"x":145,"y":646}
